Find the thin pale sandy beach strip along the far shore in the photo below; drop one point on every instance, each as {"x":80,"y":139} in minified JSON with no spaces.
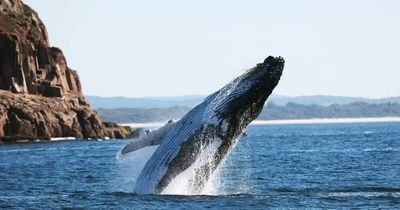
{"x":292,"y":121}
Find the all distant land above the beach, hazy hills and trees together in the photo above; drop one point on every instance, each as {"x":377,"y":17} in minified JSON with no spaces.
{"x":161,"y":109}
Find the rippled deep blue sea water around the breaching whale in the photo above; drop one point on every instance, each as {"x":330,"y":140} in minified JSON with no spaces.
{"x":289,"y":166}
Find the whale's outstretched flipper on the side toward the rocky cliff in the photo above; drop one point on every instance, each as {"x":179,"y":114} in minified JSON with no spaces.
{"x":152,"y":139}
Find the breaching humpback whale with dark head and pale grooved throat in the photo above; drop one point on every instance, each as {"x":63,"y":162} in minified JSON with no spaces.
{"x":192,"y":148}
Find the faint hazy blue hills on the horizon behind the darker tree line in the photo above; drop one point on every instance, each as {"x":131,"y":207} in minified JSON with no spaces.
{"x":191,"y":101}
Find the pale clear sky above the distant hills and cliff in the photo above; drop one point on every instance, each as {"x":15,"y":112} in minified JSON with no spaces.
{"x":171,"y":48}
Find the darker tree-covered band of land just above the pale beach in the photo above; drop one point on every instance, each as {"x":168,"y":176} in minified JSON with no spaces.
{"x":272,"y":111}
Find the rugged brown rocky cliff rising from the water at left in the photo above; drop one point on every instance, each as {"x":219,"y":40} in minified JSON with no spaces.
{"x":40,"y":96}
